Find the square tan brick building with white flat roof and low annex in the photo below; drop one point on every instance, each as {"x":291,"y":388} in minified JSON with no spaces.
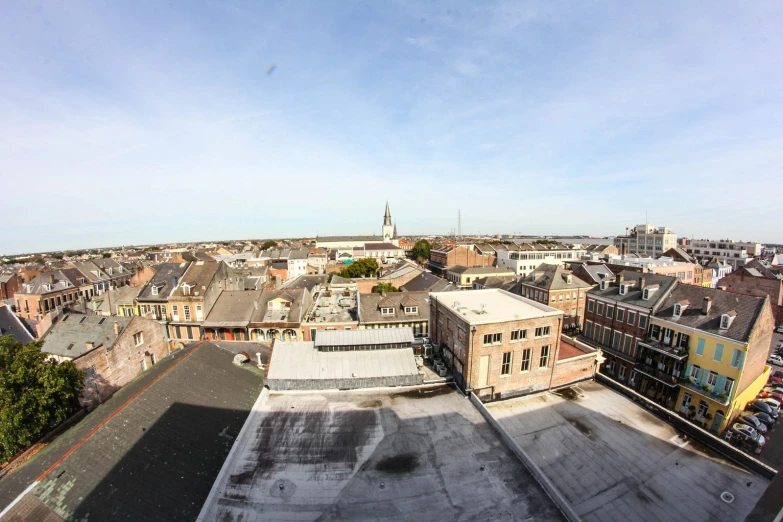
{"x":499,"y":344}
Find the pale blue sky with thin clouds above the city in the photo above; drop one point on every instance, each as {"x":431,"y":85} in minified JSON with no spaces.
{"x":139,"y":122}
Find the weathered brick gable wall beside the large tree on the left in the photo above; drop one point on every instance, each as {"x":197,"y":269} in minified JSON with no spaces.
{"x":109,"y":370}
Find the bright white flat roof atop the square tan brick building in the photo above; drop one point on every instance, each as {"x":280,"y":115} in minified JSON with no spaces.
{"x":493,"y":305}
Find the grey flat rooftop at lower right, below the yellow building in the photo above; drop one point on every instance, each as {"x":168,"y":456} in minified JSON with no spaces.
{"x":613,"y":460}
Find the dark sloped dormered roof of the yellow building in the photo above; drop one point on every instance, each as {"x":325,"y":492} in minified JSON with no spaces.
{"x":747,"y":309}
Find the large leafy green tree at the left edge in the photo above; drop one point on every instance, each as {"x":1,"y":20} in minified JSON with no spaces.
{"x":36,"y":394}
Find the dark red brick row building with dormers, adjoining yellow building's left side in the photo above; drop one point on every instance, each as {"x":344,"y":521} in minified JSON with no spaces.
{"x":618,"y":316}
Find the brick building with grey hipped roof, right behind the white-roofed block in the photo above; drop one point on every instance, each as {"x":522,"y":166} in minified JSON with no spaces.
{"x":558,"y":288}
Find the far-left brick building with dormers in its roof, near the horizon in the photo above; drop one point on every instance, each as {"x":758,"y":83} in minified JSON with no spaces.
{"x":47,"y":292}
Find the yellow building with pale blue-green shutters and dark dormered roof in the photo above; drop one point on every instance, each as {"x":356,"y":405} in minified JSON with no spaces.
{"x":727,"y":337}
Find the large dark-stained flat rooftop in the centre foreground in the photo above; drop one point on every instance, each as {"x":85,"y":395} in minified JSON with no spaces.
{"x":420,"y":454}
